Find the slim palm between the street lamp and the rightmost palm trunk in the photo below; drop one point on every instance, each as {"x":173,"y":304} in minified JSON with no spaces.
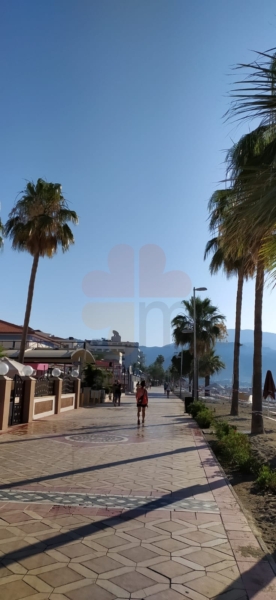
{"x":232,"y":264}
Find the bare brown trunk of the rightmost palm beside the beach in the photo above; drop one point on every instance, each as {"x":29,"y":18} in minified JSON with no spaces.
{"x":257,"y":415}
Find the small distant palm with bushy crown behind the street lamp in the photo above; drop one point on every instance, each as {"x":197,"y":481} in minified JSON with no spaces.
{"x":208,"y":320}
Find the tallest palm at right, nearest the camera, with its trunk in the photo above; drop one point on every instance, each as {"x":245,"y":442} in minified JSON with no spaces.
{"x":247,"y":160}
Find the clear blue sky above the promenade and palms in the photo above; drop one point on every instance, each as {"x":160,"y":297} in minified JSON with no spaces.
{"x":122,"y":102}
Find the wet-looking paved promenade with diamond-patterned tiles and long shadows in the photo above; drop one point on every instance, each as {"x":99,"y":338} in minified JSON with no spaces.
{"x":94,"y":508}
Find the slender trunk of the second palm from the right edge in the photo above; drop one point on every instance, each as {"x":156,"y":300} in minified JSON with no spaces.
{"x":236,"y":360}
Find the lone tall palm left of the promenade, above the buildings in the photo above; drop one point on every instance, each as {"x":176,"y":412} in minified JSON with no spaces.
{"x":38,"y":224}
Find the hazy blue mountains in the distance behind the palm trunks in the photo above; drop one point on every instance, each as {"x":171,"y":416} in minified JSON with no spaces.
{"x":225,"y":350}
